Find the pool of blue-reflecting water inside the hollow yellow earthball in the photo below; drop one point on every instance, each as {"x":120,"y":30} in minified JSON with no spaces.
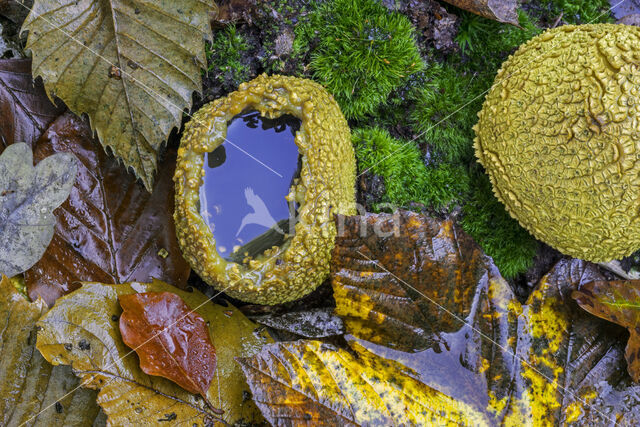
{"x":246,"y":181}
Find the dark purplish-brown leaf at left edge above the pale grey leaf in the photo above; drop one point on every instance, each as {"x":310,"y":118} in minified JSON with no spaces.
{"x":24,"y":107}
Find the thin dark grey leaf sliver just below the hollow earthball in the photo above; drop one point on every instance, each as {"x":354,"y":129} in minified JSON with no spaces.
{"x":314,"y":323}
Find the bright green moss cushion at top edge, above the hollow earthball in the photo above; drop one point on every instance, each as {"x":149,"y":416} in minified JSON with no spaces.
{"x":361,"y":52}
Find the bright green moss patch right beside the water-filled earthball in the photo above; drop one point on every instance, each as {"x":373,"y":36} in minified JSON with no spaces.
{"x":406,"y":177}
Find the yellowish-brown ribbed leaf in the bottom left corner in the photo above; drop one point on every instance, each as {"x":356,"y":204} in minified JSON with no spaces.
{"x":34,"y":393}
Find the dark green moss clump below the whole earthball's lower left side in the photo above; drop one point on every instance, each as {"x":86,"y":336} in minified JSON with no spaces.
{"x":500,"y":236}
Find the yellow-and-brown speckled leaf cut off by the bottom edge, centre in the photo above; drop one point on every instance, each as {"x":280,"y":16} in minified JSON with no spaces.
{"x":312,"y":383}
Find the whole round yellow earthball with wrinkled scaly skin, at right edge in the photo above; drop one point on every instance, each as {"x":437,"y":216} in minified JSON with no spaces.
{"x":559,"y":137}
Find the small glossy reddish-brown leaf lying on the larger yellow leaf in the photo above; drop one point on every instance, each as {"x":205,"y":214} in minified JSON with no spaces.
{"x":171,"y":340}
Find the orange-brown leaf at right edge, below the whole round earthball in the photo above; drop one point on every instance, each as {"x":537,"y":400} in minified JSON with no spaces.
{"x":617,"y":301}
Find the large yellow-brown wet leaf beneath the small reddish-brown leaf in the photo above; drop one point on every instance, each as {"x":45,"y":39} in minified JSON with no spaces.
{"x":82,"y":330}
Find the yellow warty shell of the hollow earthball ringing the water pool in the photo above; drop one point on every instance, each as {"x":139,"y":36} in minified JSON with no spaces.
{"x":325,"y":187}
